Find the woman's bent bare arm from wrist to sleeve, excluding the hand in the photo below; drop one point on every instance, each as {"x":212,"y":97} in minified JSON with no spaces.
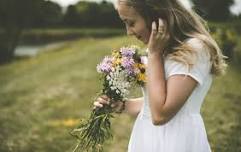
{"x":166,"y":97}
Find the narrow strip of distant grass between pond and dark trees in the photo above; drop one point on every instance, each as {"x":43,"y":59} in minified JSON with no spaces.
{"x":36,"y":36}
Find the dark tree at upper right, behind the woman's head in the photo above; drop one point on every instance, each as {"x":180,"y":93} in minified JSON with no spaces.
{"x":215,"y":10}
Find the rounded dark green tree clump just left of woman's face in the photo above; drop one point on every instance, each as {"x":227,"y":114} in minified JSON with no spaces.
{"x":92,"y":14}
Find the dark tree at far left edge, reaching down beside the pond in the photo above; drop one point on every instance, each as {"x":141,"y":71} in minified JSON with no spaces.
{"x":15,"y":15}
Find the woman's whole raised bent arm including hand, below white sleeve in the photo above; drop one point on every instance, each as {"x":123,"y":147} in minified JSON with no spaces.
{"x":165,"y":97}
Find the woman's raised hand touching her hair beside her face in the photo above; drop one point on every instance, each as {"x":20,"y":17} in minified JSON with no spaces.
{"x":159,"y":37}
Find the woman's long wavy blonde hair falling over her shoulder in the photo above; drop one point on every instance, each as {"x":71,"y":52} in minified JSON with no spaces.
{"x":182,"y":24}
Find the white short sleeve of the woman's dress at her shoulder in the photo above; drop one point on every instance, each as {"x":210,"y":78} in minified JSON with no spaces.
{"x":198,"y":71}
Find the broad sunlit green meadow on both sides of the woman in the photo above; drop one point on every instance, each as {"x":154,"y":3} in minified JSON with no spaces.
{"x":42,"y":99}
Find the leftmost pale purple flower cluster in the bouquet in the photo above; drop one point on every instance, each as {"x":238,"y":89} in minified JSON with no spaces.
{"x":105,"y":66}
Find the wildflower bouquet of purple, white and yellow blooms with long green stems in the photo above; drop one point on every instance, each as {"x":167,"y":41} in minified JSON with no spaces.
{"x":119,"y":71}
